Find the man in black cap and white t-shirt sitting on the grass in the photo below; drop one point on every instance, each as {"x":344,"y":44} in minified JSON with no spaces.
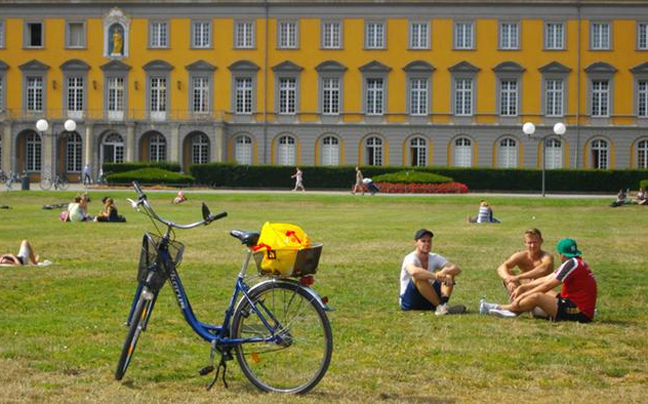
{"x":427,"y":279}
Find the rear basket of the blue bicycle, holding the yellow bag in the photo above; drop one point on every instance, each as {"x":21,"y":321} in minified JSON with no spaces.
{"x":288,"y":262}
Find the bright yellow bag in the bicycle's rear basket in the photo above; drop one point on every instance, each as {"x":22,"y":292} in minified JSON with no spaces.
{"x":277,"y":248}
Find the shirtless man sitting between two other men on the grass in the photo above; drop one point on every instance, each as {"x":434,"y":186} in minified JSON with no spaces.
{"x":533,"y":263}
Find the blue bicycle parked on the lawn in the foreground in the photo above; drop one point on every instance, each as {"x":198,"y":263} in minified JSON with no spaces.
{"x":278,"y":329}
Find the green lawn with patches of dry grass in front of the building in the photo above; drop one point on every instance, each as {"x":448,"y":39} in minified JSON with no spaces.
{"x":61,"y":327}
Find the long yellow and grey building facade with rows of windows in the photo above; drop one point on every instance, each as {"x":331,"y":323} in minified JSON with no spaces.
{"x":399,"y":83}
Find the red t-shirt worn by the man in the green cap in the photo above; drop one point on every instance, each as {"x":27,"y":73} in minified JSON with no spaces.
{"x":578,"y":284}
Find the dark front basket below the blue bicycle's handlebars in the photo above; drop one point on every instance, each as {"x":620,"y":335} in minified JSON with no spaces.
{"x":151,"y":261}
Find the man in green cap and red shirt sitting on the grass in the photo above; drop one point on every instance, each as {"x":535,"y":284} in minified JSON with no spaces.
{"x":576,"y":300}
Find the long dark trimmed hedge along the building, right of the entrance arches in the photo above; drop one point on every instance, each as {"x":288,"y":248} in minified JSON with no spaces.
{"x":477,"y":179}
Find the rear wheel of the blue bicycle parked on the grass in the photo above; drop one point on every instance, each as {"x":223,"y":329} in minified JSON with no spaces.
{"x":296,"y":350}
